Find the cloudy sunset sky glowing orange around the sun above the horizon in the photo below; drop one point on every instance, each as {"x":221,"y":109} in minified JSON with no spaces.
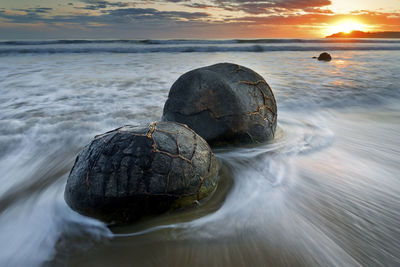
{"x":213,"y":19}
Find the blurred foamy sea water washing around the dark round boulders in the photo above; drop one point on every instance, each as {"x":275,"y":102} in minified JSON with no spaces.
{"x":324,"y":192}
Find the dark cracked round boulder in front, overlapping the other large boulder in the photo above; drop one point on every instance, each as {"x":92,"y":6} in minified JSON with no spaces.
{"x":135,"y":171}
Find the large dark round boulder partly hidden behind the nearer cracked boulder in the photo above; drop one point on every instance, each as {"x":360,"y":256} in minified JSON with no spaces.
{"x":224,"y":103}
